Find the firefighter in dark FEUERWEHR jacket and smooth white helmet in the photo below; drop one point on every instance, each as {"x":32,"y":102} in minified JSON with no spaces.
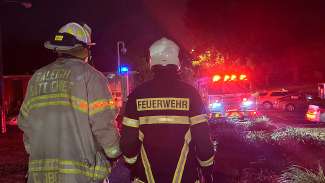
{"x":165,"y":135}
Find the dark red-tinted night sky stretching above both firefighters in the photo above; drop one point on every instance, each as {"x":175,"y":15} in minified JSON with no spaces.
{"x":272,"y":31}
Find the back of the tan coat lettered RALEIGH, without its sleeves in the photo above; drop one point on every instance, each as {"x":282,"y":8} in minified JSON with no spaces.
{"x":61,"y":139}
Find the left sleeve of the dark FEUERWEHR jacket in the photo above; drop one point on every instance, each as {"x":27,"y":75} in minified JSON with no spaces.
{"x":130,"y":143}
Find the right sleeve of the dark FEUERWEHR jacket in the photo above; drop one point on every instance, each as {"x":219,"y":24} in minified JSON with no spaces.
{"x":200,"y":132}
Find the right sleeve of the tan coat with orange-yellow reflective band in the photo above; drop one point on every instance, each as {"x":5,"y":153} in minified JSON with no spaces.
{"x":102,"y":113}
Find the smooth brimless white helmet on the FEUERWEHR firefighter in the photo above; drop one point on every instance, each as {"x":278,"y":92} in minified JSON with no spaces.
{"x":164,"y":52}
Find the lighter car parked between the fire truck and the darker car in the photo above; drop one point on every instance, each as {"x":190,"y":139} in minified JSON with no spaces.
{"x":267,"y":98}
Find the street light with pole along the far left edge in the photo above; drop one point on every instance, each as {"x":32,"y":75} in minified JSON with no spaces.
{"x":26,"y":5}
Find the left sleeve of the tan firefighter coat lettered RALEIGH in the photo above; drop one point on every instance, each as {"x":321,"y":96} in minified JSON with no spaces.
{"x":23,"y":121}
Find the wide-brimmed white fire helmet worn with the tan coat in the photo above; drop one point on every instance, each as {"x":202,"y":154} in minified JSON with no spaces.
{"x":70,"y":36}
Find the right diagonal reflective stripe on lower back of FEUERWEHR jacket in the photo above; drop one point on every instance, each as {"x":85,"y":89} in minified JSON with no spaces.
{"x":182,"y":159}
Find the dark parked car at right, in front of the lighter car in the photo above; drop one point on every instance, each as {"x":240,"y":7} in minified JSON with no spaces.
{"x":295,"y":102}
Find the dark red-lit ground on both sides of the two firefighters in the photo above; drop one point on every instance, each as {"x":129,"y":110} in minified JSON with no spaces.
{"x":246,"y":152}
